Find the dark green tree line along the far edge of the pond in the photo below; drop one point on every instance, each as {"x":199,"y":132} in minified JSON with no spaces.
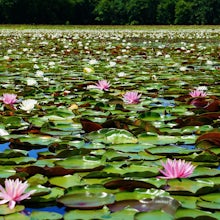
{"x":110,"y":12}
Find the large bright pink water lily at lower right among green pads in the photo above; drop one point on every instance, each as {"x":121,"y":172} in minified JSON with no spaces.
{"x":176,"y":169}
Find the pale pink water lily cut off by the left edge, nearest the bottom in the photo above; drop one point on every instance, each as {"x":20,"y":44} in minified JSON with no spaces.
{"x":14,"y":192}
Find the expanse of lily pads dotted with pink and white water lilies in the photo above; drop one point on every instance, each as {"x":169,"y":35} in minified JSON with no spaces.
{"x":109,"y":124}
